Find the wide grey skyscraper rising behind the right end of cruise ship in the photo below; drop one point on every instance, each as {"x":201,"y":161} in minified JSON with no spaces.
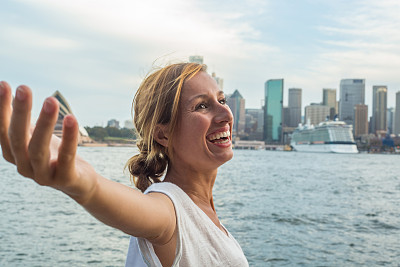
{"x":352,"y":92}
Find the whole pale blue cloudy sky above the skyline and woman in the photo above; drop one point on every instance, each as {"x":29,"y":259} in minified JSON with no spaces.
{"x":97,"y":52}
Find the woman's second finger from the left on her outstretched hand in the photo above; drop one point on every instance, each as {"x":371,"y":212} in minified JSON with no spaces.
{"x":18,"y":131}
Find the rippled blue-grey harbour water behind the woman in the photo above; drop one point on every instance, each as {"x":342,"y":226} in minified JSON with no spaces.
{"x":284,"y":208}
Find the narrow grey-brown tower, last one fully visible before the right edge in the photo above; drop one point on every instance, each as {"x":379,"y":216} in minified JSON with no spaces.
{"x":379,"y":109}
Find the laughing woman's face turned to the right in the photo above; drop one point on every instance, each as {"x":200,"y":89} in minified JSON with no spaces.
{"x":202,"y":137}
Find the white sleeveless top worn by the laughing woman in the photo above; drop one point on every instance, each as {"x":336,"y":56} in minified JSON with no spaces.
{"x":200,"y":242}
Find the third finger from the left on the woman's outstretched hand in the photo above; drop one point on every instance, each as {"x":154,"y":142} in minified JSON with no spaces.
{"x":39,"y":145}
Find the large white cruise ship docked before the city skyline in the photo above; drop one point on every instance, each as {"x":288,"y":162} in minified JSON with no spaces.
{"x":328,"y":136}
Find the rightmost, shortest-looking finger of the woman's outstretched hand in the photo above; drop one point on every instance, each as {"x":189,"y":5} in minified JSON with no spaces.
{"x":69,"y":143}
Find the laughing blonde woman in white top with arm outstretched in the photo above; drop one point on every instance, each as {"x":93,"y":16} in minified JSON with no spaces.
{"x":184,"y":125}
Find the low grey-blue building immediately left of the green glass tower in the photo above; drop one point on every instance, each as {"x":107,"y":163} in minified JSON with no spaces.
{"x":254,"y":124}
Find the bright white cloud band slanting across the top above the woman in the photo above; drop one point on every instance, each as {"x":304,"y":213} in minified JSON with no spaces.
{"x":175,"y":25}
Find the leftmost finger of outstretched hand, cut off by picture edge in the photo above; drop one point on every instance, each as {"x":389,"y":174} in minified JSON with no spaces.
{"x":5,"y":116}
